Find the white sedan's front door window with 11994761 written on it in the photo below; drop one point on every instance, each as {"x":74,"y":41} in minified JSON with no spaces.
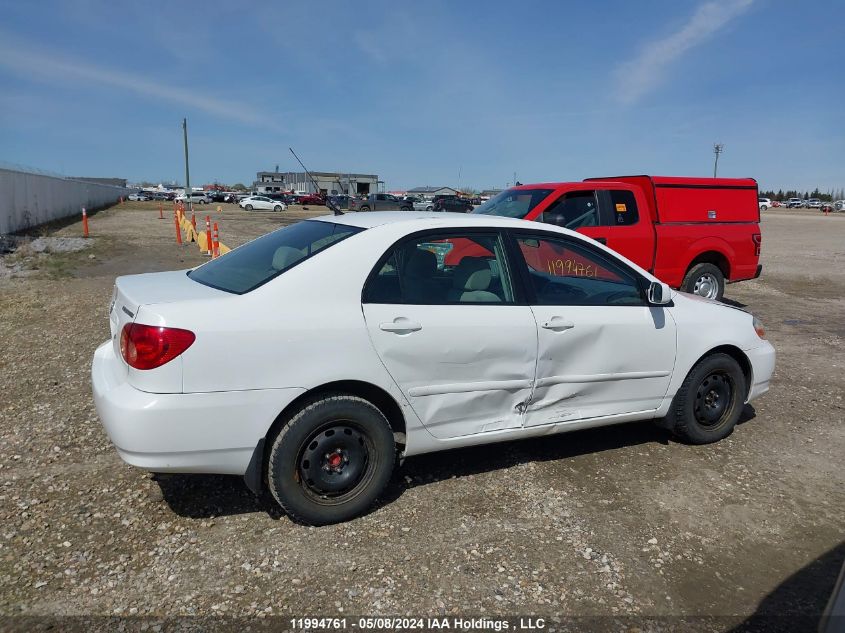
{"x":564,"y":272}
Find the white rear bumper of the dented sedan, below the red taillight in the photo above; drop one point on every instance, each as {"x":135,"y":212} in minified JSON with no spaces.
{"x":212,"y":432}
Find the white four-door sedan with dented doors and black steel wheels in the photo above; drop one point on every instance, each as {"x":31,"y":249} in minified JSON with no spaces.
{"x":313,"y":358}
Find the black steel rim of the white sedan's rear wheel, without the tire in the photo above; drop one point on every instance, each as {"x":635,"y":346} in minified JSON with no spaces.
{"x":335,"y":462}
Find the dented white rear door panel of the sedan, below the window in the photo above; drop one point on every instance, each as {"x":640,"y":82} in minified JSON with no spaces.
{"x":465,"y":369}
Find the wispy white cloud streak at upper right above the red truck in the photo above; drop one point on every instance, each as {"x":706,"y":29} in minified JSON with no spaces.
{"x":640,"y":75}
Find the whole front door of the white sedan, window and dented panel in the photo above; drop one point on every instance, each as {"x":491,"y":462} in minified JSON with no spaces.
{"x":602,"y":350}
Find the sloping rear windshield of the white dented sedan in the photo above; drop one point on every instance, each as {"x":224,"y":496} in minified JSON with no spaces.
{"x":262,"y":259}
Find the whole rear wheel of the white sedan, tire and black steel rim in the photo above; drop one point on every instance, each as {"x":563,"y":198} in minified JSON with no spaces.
{"x":338,"y":427}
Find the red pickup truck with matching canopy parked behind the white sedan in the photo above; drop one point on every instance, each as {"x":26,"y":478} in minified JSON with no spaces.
{"x":695,"y":234}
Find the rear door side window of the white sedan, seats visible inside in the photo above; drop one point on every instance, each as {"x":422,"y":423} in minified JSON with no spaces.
{"x":443,"y":269}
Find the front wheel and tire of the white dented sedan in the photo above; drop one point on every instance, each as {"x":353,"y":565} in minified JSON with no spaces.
{"x":709,"y":402}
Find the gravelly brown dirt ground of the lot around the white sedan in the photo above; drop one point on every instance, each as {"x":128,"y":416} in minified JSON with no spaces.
{"x":620,"y":521}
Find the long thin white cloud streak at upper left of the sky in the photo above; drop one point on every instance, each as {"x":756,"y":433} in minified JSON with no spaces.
{"x":53,"y":68}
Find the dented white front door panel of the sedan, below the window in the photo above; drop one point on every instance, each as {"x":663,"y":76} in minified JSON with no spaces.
{"x":612,"y":360}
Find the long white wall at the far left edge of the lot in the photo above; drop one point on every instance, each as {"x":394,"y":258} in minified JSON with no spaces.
{"x":28,"y":199}
